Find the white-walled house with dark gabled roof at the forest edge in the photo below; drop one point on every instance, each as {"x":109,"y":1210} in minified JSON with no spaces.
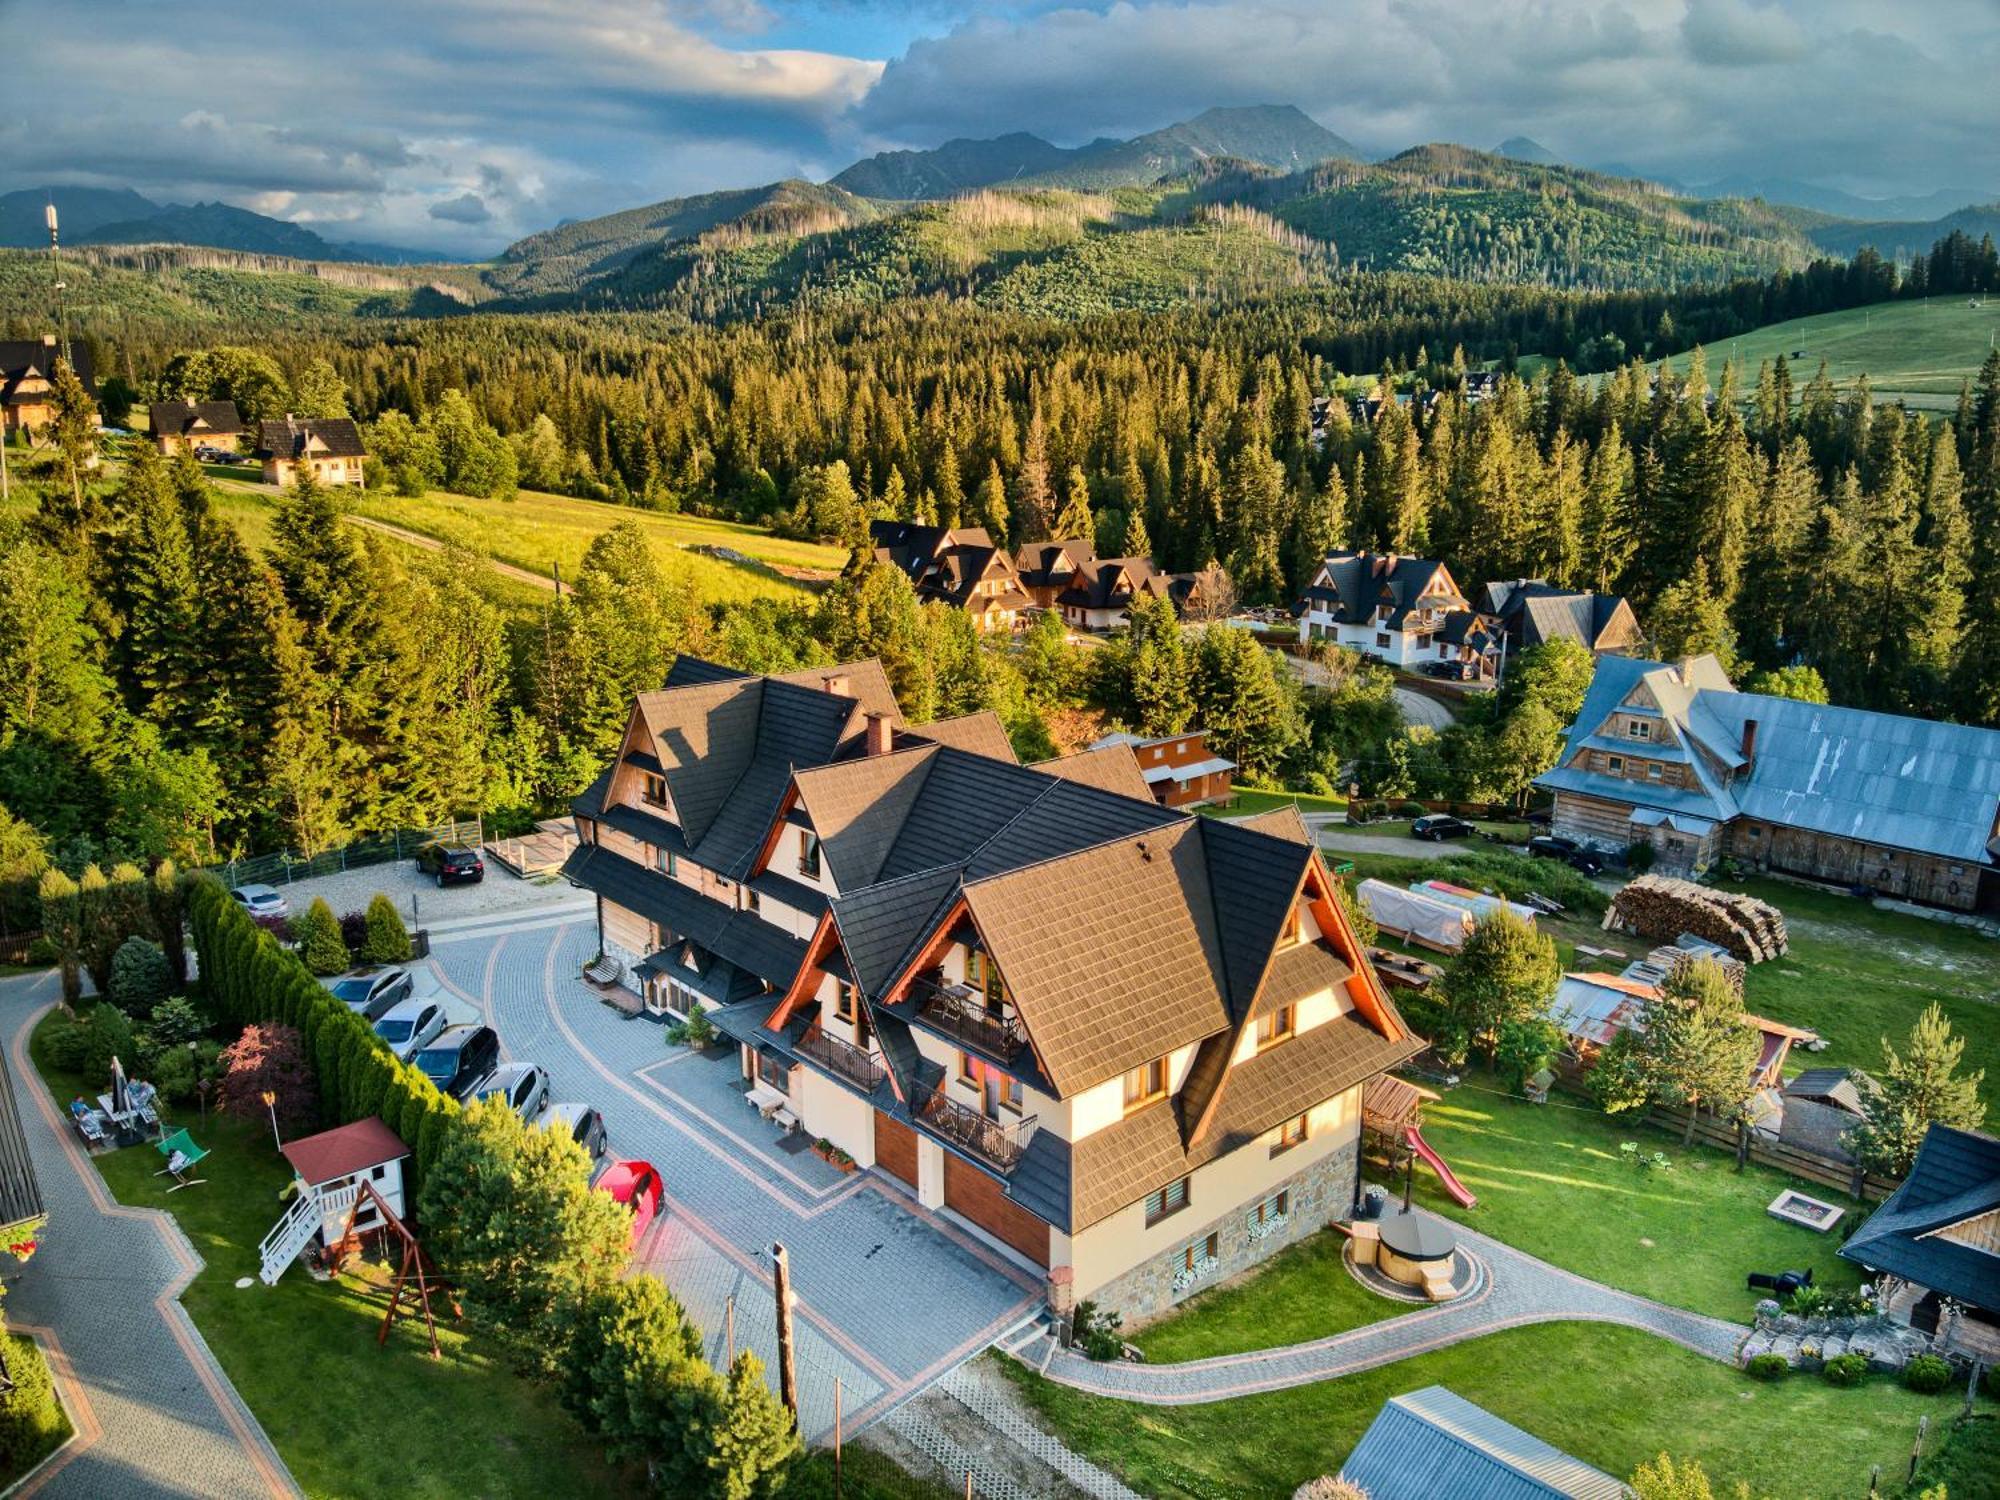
{"x":1401,"y":611}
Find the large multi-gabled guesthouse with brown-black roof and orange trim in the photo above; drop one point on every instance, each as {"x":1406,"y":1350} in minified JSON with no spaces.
{"x":1115,"y":1041}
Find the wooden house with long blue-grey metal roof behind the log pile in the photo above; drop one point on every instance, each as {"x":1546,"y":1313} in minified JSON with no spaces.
{"x":1679,"y":759}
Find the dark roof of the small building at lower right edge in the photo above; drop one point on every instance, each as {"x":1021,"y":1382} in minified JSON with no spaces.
{"x":1955,"y":1179}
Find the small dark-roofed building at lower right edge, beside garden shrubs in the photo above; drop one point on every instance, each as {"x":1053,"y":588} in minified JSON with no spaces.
{"x":1939,"y":1243}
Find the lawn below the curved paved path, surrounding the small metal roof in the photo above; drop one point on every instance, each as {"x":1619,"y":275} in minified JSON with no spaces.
{"x":1613,"y":1397}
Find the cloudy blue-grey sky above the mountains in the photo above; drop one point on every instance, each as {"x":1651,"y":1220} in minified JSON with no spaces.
{"x":461,"y":125}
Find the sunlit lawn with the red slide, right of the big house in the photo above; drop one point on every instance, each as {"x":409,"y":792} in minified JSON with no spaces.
{"x":1551,"y":1181}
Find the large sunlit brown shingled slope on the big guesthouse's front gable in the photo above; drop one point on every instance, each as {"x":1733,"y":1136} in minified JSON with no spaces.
{"x":1079,"y":939}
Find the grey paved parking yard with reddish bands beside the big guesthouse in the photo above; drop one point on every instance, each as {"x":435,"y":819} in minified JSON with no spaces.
{"x":889,"y":1295}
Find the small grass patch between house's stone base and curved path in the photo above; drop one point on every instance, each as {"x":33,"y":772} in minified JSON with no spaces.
{"x":1299,"y":1295}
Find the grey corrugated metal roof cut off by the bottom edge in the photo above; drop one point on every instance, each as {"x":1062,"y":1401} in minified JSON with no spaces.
{"x":1435,"y":1445}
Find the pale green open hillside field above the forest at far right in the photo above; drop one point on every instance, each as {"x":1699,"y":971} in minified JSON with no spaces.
{"x":1909,"y":351}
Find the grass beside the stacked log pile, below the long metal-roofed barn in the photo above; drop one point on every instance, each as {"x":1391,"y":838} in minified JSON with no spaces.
{"x":1857,"y":975}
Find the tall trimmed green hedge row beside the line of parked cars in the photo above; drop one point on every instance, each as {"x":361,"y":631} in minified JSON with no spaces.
{"x":251,"y":981}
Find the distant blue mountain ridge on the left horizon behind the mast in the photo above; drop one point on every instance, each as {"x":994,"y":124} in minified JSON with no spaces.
{"x":125,"y":217}
